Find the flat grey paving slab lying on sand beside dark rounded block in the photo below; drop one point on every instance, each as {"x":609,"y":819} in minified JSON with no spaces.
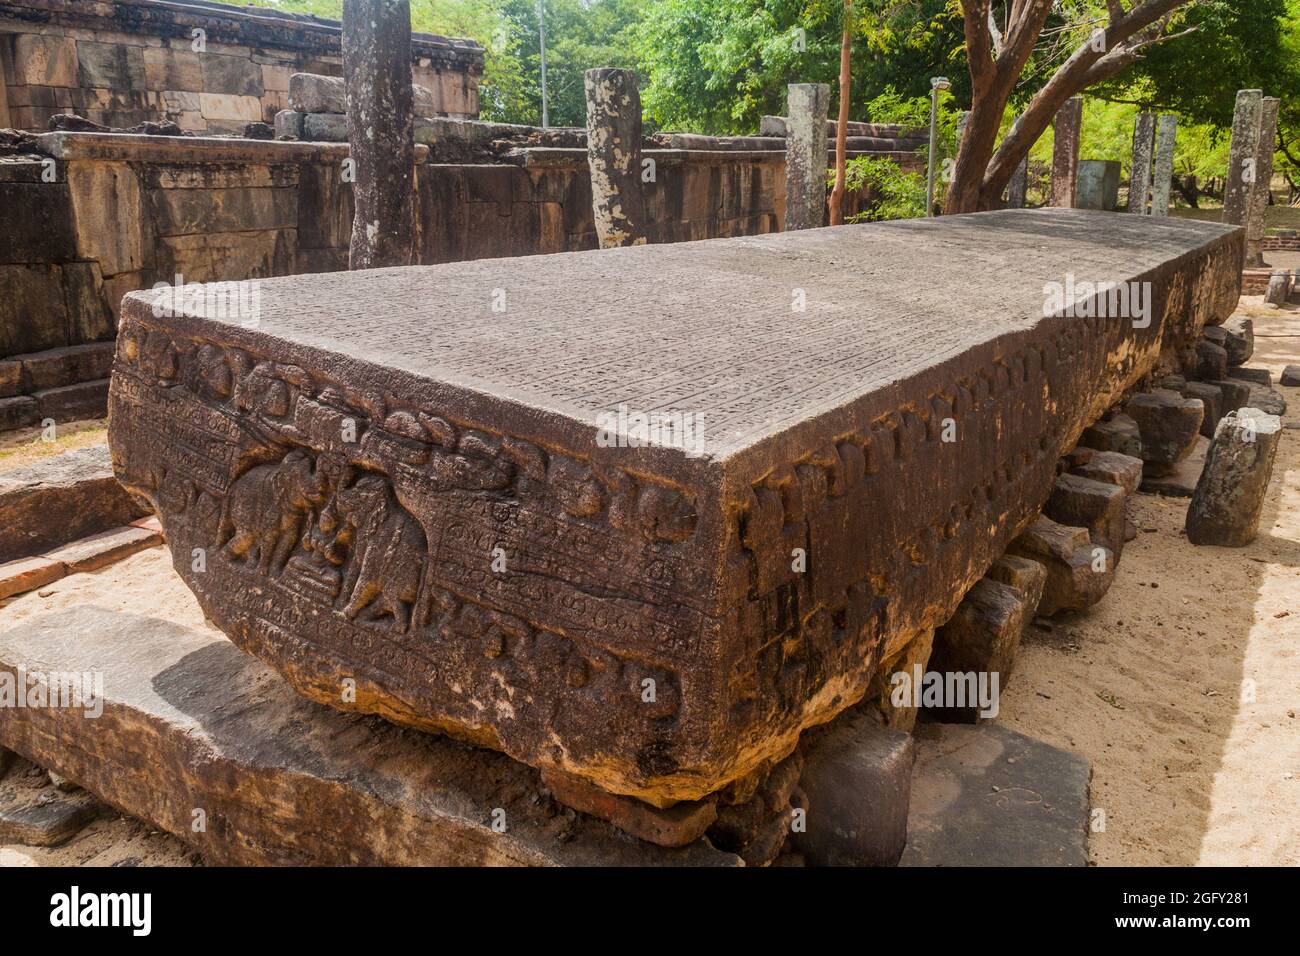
{"x":987,"y":797}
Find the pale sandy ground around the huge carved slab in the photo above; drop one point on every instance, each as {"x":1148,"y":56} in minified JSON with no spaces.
{"x":1182,"y":686}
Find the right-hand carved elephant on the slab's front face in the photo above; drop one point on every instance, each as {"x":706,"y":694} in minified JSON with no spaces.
{"x":388,"y":552}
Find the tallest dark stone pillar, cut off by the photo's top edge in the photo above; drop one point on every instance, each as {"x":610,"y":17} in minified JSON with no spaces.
{"x":380,"y":131}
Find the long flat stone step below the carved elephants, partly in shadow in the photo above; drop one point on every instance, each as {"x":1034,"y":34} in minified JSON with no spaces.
{"x":267,"y":767}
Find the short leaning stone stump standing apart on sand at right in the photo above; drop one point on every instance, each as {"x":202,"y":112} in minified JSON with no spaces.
{"x":1229,"y":498}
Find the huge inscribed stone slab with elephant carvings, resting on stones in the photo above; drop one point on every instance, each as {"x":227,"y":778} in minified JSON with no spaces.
{"x":404,"y":488}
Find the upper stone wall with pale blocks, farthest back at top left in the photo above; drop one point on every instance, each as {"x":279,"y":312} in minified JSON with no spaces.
{"x":122,"y":63}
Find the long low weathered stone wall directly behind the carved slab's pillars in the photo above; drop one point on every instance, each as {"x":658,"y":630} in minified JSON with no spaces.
{"x":98,"y":217}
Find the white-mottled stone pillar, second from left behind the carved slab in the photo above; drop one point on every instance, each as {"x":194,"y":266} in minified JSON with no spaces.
{"x":614,"y":154}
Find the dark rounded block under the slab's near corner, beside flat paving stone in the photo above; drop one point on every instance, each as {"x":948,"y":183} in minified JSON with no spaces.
{"x":857,"y":785}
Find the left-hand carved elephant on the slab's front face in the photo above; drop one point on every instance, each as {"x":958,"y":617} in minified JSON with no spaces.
{"x":265,"y":512}
